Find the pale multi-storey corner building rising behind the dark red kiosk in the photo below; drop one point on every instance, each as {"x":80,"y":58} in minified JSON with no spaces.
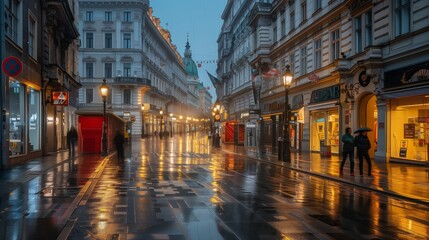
{"x":124,"y":43}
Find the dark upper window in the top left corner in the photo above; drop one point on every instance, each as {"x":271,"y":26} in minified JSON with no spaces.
{"x":11,"y":19}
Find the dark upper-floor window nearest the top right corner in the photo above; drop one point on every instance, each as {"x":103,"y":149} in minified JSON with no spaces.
{"x":402,"y":17}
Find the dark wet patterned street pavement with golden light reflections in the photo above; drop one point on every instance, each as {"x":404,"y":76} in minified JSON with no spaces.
{"x":181,"y":188}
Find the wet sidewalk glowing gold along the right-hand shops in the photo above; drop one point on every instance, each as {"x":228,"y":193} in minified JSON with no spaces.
{"x":404,"y":181}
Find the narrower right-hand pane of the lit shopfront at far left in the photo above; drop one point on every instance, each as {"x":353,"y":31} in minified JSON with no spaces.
{"x":34,"y":131}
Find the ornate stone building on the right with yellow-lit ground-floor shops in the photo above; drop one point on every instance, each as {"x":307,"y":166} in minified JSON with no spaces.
{"x":354,"y":64}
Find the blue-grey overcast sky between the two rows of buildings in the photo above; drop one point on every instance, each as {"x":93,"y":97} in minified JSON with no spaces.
{"x":201,"y":19}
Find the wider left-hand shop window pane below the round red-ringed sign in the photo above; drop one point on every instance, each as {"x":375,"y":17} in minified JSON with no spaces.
{"x":16,"y":118}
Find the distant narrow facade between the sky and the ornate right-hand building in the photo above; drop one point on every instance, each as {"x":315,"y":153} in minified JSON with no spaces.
{"x":236,"y":43}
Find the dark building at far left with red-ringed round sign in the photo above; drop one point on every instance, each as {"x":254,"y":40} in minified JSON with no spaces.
{"x":39,"y":39}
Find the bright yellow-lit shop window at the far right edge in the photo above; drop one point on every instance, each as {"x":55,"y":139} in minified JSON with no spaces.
{"x":410,"y":128}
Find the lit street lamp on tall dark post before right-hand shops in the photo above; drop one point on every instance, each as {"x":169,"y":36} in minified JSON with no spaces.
{"x":287,"y":80}
